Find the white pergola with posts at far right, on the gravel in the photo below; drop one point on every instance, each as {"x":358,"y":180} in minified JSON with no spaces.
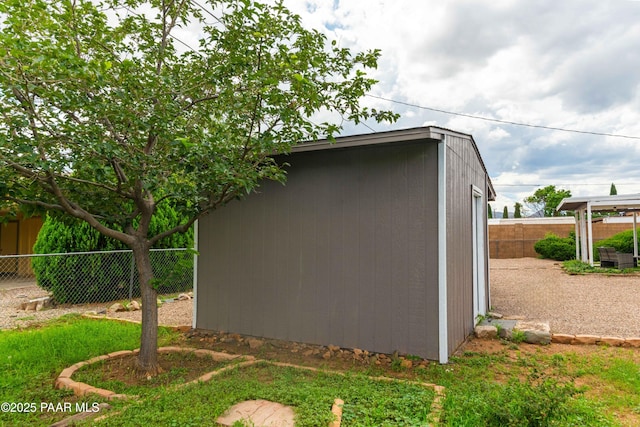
{"x":585,"y":206}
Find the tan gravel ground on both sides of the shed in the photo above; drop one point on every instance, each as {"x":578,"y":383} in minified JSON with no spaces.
{"x":528,"y":288}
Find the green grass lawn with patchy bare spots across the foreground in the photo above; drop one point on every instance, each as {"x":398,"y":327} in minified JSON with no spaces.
{"x":507,"y":385}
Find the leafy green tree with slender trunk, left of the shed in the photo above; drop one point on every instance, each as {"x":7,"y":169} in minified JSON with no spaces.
{"x":106,"y":116}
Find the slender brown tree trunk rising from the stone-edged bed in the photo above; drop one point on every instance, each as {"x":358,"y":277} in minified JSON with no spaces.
{"x":148,"y":356}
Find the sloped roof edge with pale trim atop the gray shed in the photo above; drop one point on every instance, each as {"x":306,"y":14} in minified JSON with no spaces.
{"x":434,"y":133}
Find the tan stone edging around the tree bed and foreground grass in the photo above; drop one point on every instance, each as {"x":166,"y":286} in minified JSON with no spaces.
{"x":64,"y":381}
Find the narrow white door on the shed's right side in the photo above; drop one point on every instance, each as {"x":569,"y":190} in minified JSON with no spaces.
{"x":479,"y":285}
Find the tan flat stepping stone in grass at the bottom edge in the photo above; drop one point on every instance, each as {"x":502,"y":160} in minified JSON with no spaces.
{"x":258,"y":413}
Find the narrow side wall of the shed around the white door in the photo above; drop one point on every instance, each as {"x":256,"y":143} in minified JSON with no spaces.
{"x":464,"y":169}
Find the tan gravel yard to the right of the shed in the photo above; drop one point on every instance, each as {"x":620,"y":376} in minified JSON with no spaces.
{"x":587,"y":304}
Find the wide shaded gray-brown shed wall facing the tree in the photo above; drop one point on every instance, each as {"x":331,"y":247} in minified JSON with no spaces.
{"x":344,"y":254}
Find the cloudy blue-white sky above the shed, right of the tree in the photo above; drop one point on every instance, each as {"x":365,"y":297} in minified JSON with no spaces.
{"x":567,"y":64}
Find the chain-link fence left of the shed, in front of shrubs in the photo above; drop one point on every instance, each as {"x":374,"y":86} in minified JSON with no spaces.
{"x":91,"y":277}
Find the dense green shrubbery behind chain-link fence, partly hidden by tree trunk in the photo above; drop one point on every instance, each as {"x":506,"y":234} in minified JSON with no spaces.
{"x":85,"y":278}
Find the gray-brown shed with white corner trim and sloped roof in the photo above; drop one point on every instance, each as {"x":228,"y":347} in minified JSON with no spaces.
{"x":376,"y":241}
